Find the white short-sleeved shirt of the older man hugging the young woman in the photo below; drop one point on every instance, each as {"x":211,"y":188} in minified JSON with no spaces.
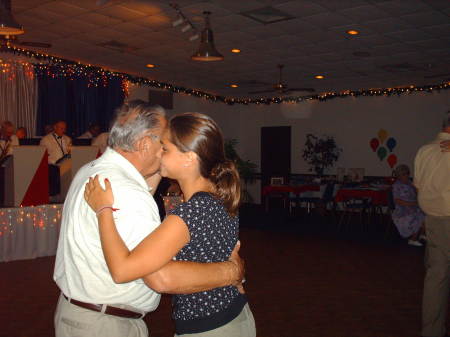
{"x":80,"y":269}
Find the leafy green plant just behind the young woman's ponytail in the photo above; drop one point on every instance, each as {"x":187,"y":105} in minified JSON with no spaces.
{"x":246,"y":168}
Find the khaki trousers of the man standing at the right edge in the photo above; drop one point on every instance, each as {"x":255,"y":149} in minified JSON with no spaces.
{"x":436,"y":287}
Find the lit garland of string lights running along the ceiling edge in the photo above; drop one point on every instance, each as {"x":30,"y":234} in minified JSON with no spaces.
{"x":59,"y":67}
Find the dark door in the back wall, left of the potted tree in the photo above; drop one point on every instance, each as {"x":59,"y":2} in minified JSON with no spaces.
{"x":275,"y":153}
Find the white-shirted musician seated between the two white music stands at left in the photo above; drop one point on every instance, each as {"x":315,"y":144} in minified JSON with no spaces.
{"x":57,"y":143}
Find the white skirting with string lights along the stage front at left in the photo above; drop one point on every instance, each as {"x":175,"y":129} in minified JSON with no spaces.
{"x":29,"y":232}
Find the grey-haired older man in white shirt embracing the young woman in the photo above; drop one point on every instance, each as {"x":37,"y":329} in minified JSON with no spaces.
{"x":91,"y":303}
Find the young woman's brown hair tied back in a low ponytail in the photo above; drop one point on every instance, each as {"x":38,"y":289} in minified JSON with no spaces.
{"x":200,"y":134}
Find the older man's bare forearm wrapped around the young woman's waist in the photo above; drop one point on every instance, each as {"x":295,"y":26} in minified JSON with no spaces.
{"x":180,"y":277}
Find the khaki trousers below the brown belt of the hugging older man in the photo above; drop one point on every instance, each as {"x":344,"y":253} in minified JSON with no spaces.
{"x":73,"y":321}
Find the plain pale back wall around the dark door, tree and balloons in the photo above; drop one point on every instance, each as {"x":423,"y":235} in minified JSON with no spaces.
{"x":411,"y":119}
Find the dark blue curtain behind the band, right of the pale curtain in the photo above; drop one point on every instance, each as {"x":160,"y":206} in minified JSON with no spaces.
{"x":72,"y":100}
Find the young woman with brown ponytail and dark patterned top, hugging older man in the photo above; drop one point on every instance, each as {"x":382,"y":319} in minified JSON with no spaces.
{"x":204,"y":228}
